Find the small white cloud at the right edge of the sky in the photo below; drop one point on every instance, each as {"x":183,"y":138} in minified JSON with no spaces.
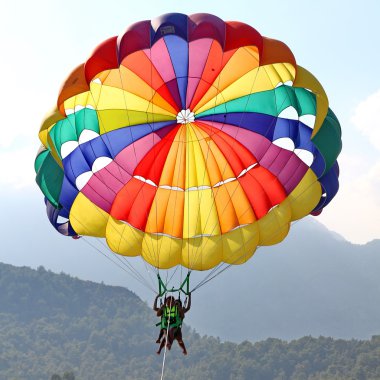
{"x":366,"y":118}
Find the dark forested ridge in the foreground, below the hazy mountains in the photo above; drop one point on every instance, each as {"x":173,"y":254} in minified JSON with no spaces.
{"x":52,"y":323}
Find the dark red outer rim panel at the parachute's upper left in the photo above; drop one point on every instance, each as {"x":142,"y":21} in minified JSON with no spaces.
{"x":104,"y":57}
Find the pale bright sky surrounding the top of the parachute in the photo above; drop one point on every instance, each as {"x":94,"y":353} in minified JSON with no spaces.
{"x":42,"y":41}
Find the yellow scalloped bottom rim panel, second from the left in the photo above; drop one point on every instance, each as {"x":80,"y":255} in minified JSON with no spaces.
{"x":123,"y":238}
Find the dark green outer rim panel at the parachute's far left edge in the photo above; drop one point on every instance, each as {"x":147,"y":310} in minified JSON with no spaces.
{"x":49,"y":178}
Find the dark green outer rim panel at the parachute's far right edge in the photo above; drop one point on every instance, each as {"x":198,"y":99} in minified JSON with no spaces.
{"x":329,"y":139}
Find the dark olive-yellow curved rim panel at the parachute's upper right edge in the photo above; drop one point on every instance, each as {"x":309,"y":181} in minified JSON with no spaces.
{"x":307,"y":80}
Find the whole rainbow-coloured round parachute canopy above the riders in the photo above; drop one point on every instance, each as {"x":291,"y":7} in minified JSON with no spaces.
{"x":189,"y":141}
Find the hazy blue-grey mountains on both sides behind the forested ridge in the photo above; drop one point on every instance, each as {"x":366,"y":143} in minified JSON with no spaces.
{"x":314,"y":283}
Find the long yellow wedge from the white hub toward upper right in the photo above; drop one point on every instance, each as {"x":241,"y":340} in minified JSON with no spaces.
{"x":259,"y":79}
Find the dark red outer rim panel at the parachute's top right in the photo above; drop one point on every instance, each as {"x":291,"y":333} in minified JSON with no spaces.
{"x":239,"y":34}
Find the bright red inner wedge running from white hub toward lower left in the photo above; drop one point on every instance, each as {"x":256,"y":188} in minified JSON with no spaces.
{"x":150,"y":167}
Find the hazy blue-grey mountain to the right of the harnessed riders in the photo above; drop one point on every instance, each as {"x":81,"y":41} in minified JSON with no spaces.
{"x":314,"y":283}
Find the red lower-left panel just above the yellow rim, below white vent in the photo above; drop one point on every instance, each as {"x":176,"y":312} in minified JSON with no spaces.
{"x":133,"y":202}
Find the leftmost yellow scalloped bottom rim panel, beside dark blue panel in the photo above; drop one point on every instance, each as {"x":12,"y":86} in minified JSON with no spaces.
{"x":87,"y":218}
